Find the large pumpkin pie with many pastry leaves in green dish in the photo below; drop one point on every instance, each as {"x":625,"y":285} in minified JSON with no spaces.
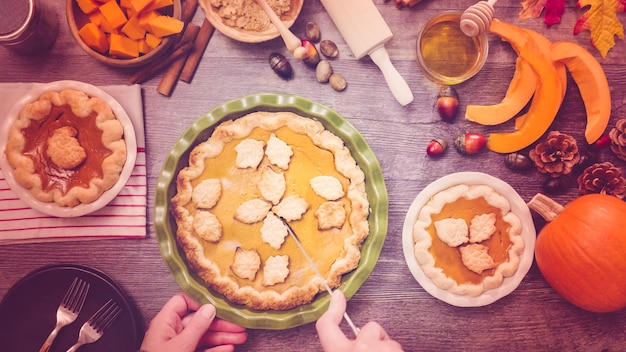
{"x":249,"y":174}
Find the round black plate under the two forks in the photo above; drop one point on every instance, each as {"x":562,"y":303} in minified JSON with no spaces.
{"x":28,"y":312}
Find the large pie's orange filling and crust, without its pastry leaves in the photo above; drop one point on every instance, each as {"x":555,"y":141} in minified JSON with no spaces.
{"x":333,"y":250}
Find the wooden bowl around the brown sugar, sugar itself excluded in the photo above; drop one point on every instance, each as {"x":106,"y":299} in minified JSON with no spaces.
{"x":248,"y":36}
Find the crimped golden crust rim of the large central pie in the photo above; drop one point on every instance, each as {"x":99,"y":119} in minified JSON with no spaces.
{"x":240,"y":129}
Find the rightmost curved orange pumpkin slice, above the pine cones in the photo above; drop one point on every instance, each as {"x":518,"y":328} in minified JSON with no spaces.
{"x":592,"y":84}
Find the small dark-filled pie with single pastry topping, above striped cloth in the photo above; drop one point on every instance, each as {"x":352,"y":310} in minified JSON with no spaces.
{"x":66,"y":147}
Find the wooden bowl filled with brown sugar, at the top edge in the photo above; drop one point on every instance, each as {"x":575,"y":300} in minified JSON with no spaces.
{"x":245,"y":21}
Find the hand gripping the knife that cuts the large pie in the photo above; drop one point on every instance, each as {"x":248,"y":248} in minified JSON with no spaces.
{"x":372,"y":336}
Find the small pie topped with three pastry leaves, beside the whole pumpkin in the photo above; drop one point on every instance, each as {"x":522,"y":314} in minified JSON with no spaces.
{"x":467,"y":240}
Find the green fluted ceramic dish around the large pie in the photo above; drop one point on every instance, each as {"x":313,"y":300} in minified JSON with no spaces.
{"x":200,"y":131}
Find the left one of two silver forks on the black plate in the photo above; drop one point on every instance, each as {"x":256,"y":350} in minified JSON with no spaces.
{"x":69,"y":309}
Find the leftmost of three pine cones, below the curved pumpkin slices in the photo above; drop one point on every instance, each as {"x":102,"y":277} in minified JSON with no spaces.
{"x":556,"y":155}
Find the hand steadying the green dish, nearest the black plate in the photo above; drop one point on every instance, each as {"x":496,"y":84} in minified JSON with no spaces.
{"x":183,"y":325}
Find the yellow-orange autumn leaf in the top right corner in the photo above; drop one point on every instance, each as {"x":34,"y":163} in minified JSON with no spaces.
{"x":601,"y":22}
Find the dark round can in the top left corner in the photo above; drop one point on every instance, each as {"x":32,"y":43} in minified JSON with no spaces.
{"x":28,"y":26}
